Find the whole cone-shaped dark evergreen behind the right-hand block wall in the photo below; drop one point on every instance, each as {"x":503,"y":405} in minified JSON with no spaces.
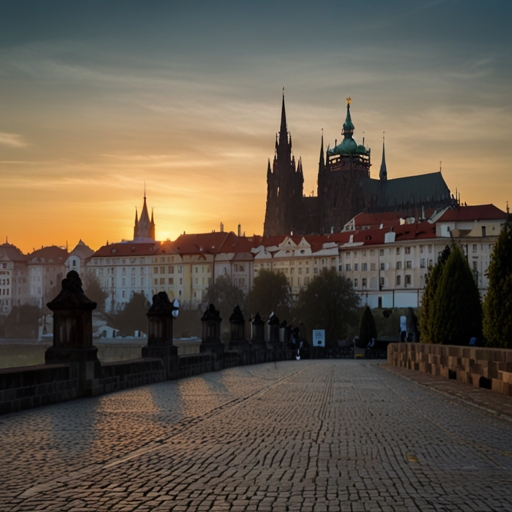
{"x":456,"y":315}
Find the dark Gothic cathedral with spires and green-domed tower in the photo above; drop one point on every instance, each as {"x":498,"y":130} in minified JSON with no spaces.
{"x":345,"y":187}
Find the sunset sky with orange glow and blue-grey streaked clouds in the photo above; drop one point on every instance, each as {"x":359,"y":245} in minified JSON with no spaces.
{"x":101,"y":99}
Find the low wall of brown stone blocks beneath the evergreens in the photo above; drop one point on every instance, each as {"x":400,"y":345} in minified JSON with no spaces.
{"x":489,"y":368}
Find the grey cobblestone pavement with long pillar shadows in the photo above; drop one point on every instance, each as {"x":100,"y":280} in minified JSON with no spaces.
{"x":292,"y":436}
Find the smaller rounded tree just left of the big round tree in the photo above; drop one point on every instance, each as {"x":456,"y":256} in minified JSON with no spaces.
{"x":270,"y":293}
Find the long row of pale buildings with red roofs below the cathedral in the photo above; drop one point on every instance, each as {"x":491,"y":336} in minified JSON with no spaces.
{"x":386,"y":256}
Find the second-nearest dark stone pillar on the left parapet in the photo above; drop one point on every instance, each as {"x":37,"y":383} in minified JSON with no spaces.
{"x":160,"y":318}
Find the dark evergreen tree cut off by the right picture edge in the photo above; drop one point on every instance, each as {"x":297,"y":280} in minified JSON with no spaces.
{"x":497,"y":323}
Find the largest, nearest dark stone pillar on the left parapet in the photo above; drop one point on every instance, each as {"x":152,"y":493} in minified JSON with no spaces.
{"x":72,"y":332}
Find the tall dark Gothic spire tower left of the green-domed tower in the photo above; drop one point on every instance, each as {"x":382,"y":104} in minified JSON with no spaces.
{"x":285,"y":183}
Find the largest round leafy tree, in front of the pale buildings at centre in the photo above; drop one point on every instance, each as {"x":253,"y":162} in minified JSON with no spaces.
{"x":327,"y":302}
